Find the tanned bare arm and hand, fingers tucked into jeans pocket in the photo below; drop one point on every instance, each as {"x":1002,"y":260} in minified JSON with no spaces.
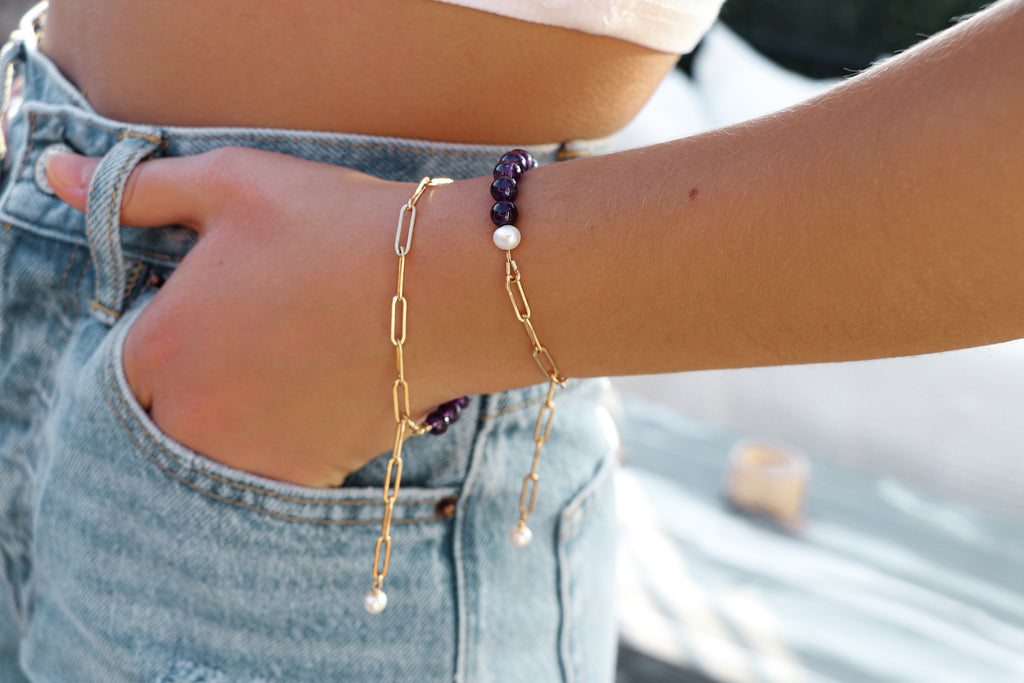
{"x":882,"y":219}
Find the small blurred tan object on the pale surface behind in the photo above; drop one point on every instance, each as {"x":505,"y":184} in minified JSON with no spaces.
{"x":770,"y":480}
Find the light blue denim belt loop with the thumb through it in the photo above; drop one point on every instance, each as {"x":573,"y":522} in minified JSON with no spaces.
{"x":103,"y":223}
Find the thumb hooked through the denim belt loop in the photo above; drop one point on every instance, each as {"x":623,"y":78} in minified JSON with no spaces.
{"x":157,"y":193}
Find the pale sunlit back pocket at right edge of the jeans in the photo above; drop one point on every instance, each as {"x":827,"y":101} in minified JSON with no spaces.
{"x":587,"y":580}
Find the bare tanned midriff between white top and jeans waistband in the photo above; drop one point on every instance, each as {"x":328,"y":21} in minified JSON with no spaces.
{"x":425,"y":70}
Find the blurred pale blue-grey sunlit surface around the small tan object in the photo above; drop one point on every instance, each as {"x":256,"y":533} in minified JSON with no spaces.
{"x":884,"y":584}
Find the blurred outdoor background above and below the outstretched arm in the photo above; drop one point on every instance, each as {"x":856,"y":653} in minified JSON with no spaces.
{"x":885,"y":543}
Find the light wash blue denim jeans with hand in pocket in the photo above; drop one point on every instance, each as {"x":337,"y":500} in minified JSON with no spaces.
{"x":127,"y":558}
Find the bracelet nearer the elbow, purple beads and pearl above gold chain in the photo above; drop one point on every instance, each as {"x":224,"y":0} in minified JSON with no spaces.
{"x":505,"y":189}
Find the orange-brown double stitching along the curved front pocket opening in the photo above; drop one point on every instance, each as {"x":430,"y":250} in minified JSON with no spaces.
{"x":204,"y":473}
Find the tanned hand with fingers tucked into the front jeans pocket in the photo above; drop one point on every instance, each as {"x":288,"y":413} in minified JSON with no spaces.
{"x":268,"y":349}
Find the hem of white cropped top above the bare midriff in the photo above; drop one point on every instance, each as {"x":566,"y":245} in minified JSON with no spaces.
{"x":668,"y":26}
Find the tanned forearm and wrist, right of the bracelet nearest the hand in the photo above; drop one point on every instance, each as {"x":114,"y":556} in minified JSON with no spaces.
{"x":881,"y":219}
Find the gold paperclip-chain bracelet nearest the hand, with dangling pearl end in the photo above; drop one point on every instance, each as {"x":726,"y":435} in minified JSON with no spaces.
{"x":437,"y":423}
